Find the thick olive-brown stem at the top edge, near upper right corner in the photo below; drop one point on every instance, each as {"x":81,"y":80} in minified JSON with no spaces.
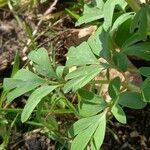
{"x":134,"y":4}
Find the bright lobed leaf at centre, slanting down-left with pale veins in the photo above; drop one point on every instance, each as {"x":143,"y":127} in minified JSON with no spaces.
{"x":80,"y":77}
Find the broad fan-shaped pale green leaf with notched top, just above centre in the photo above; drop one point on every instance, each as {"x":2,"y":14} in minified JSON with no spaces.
{"x":81,"y":55}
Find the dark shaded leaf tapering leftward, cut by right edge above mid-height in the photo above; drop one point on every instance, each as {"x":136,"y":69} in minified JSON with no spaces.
{"x":141,"y":50}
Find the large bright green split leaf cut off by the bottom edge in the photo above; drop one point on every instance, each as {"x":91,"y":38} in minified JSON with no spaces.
{"x":92,"y":131}
